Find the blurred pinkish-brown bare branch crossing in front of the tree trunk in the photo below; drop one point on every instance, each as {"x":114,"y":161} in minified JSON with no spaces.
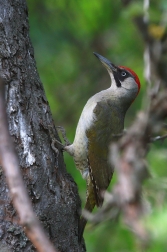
{"x":17,"y":189}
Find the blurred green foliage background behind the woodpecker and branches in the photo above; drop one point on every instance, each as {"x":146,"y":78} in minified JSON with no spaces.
{"x":64,"y":35}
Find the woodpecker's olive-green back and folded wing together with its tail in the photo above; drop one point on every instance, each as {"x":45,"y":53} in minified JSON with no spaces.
{"x":108,"y":122}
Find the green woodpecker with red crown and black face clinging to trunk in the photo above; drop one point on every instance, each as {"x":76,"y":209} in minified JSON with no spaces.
{"x":101,"y":120}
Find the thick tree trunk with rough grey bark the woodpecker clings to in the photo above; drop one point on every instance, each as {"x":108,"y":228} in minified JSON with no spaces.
{"x":53,"y":192}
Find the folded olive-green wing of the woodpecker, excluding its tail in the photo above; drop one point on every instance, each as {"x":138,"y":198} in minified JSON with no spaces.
{"x":99,"y":138}
